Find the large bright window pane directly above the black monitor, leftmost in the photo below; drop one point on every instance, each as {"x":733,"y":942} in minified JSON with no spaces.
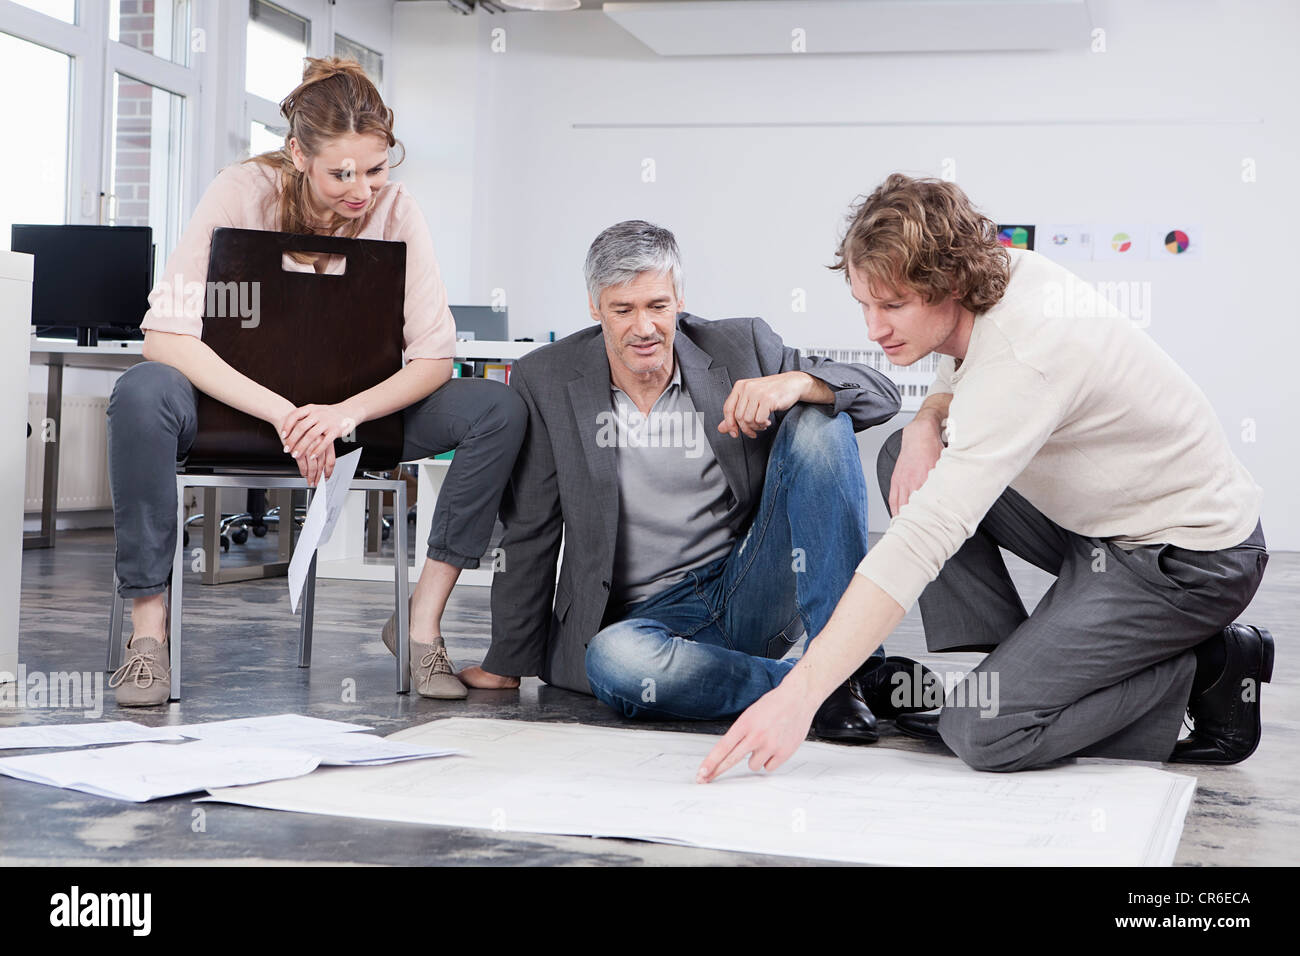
{"x":42,"y":115}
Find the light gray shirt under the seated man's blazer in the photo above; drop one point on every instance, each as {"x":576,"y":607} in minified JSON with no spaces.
{"x":673,"y":494}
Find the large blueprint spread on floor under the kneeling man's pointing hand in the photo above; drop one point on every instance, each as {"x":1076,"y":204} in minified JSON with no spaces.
{"x":852,"y":804}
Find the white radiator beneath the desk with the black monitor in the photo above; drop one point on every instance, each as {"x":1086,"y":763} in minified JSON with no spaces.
{"x":83,"y":455}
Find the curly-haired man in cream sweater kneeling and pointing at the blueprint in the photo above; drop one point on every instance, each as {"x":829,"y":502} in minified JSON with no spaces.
{"x":1061,"y":432}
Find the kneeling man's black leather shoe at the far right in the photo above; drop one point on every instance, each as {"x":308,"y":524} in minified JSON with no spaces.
{"x":1227,"y":715}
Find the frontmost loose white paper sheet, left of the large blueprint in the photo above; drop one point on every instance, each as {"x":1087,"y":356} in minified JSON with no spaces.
{"x":146,"y":772}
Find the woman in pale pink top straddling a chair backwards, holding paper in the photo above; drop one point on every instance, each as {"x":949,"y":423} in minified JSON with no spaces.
{"x":331,"y":178}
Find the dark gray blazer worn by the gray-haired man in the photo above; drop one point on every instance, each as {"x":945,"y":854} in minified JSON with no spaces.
{"x":565,"y":482}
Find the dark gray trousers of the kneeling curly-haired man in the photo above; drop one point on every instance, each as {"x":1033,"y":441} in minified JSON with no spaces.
{"x":1104,"y":665}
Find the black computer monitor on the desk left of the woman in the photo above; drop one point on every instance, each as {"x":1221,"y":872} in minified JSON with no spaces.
{"x":88,"y":280}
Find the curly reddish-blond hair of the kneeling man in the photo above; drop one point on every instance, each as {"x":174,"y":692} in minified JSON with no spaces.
{"x":925,"y":236}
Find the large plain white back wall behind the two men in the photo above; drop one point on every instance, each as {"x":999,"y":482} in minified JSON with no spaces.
{"x":759,"y":158}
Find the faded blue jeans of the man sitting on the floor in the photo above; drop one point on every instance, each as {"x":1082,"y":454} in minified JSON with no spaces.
{"x":710,"y":646}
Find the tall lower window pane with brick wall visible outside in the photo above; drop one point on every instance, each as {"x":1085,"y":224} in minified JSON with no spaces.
{"x":145,"y":174}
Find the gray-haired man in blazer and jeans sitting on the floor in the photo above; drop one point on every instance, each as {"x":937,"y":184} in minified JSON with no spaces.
{"x":708,"y":487}
